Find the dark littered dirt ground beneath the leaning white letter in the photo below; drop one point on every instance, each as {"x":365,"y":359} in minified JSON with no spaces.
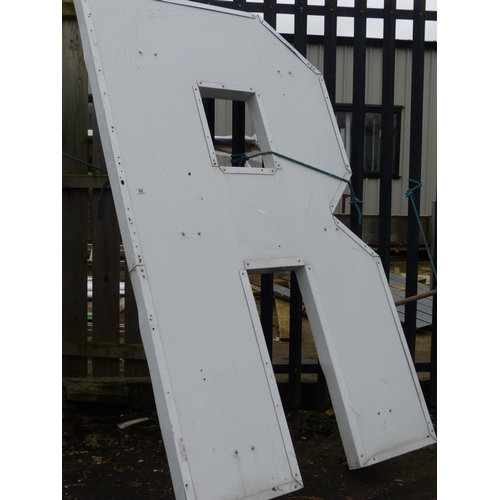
{"x":102,"y":461}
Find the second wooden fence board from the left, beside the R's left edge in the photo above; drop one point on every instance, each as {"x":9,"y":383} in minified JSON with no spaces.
{"x":105,"y":269}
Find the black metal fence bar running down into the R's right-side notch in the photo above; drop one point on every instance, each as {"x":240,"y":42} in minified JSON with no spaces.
{"x":358,"y":109}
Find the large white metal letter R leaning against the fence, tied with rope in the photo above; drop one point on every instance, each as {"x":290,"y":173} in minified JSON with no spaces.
{"x":193,"y":228}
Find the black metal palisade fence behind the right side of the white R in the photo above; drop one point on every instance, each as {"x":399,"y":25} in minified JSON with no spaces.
{"x":330,"y":12}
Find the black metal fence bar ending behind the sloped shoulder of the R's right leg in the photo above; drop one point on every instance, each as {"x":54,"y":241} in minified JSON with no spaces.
{"x":387,"y":132}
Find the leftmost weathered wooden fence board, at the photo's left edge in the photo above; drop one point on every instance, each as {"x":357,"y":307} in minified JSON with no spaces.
{"x":74,"y":201}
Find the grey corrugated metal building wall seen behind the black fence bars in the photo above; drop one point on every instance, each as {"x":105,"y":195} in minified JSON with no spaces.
{"x":344,"y":86}
